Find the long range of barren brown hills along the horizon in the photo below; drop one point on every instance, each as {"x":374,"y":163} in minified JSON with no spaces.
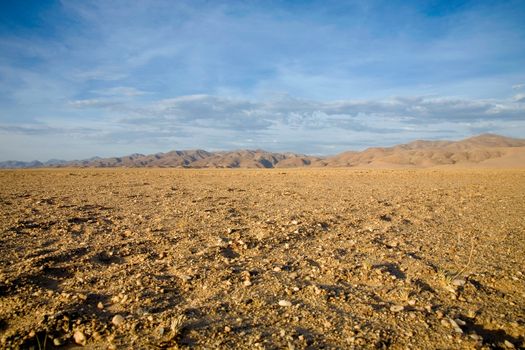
{"x":487,"y":150}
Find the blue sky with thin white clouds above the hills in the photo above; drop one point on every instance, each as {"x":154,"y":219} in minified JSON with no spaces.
{"x":109,"y":78}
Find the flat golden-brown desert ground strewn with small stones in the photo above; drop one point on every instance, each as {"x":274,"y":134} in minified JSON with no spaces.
{"x":294,"y":259}
